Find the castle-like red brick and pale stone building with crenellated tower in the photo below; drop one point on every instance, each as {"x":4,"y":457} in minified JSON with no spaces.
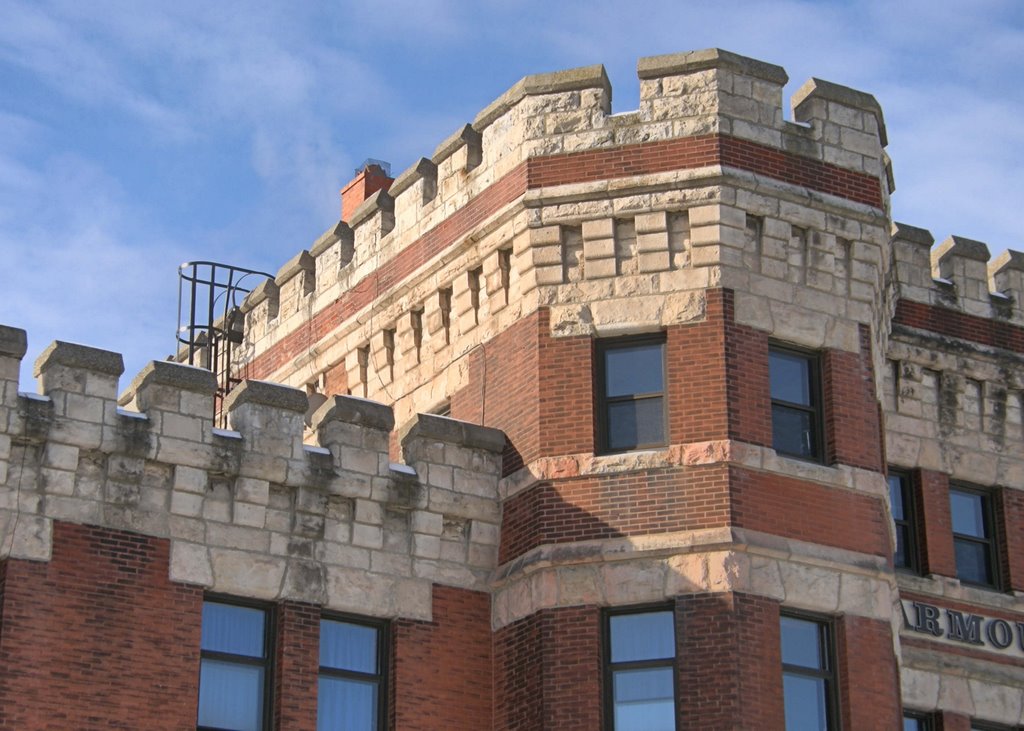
{"x":589,"y":421}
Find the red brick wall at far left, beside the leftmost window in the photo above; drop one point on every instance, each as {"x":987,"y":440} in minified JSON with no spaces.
{"x":99,"y":637}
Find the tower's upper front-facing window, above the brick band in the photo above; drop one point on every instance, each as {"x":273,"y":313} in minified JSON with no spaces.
{"x":631,"y":394}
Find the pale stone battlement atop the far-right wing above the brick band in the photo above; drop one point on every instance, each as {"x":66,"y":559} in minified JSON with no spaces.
{"x":959,"y":274}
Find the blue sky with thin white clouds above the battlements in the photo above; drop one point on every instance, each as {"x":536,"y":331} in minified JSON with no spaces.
{"x":137,"y":136}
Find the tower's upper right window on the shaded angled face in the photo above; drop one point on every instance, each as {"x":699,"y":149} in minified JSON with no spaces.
{"x":796,"y":403}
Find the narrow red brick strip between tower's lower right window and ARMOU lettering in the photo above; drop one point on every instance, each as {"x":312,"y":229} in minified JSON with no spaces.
{"x":870,"y":690}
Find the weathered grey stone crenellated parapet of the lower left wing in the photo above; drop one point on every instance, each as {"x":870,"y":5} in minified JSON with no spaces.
{"x":251,"y":510}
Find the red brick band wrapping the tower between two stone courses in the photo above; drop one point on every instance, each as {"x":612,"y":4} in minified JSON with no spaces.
{"x":666,"y":500}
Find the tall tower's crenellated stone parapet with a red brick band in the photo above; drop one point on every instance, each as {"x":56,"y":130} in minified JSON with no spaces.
{"x":547,"y":200}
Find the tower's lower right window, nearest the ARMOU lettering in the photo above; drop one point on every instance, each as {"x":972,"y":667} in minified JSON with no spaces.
{"x":808,"y":675}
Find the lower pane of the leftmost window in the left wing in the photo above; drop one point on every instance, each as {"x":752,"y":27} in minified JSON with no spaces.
{"x":231,"y":696}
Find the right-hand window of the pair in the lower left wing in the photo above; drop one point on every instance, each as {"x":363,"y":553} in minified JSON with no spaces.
{"x":351,"y":693}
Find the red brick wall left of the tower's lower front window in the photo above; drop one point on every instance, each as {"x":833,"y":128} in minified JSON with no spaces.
{"x":548,"y":672}
